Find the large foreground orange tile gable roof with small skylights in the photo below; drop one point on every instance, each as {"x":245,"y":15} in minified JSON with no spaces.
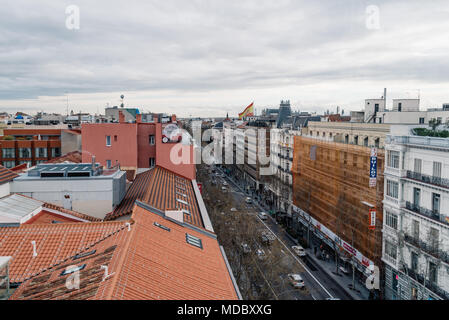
{"x":147,"y":262}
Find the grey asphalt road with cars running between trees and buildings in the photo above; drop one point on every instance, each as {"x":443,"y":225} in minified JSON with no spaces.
{"x":318,"y":282}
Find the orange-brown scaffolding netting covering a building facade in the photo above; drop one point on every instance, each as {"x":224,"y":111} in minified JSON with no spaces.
{"x":331,"y":183}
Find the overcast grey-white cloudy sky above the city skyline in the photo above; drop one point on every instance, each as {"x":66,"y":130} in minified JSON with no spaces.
{"x":206,"y":58}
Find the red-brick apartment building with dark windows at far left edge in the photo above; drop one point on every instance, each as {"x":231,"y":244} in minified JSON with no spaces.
{"x":31,"y":146}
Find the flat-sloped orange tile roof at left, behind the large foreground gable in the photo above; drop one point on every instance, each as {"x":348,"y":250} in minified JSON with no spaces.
{"x":55,"y":243}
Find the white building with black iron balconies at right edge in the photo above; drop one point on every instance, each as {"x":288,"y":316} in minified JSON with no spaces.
{"x":416,"y":218}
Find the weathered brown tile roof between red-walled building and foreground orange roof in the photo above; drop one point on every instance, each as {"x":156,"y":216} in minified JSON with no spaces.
{"x":161,"y":188}
